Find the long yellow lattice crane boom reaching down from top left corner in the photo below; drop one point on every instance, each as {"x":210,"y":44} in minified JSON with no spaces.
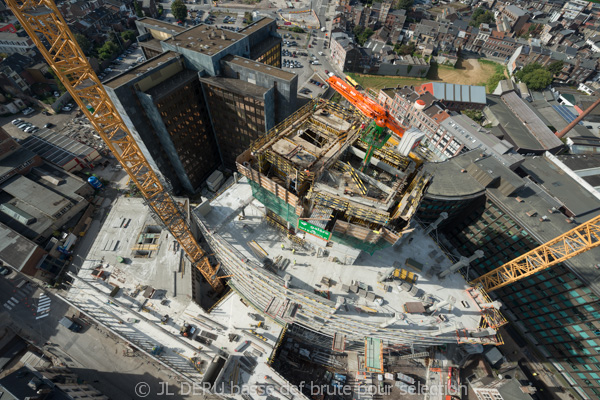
{"x":57,"y":44}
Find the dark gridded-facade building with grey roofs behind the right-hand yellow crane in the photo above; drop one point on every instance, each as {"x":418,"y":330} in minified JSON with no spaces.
{"x":506,"y":214}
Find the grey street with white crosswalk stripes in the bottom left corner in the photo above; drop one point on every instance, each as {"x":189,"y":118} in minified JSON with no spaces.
{"x":94,"y":355}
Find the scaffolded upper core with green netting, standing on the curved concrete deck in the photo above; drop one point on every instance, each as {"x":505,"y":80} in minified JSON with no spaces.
{"x":308,"y":173}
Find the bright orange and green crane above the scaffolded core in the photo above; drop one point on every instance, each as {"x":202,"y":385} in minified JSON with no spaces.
{"x":377,"y":133}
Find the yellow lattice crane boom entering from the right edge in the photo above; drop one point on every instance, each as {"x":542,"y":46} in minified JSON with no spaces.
{"x":576,"y":241}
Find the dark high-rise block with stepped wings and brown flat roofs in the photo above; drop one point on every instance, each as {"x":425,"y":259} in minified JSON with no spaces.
{"x":203,"y":96}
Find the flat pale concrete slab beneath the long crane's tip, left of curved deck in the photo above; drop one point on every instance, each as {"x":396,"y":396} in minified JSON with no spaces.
{"x":154,"y":270}
